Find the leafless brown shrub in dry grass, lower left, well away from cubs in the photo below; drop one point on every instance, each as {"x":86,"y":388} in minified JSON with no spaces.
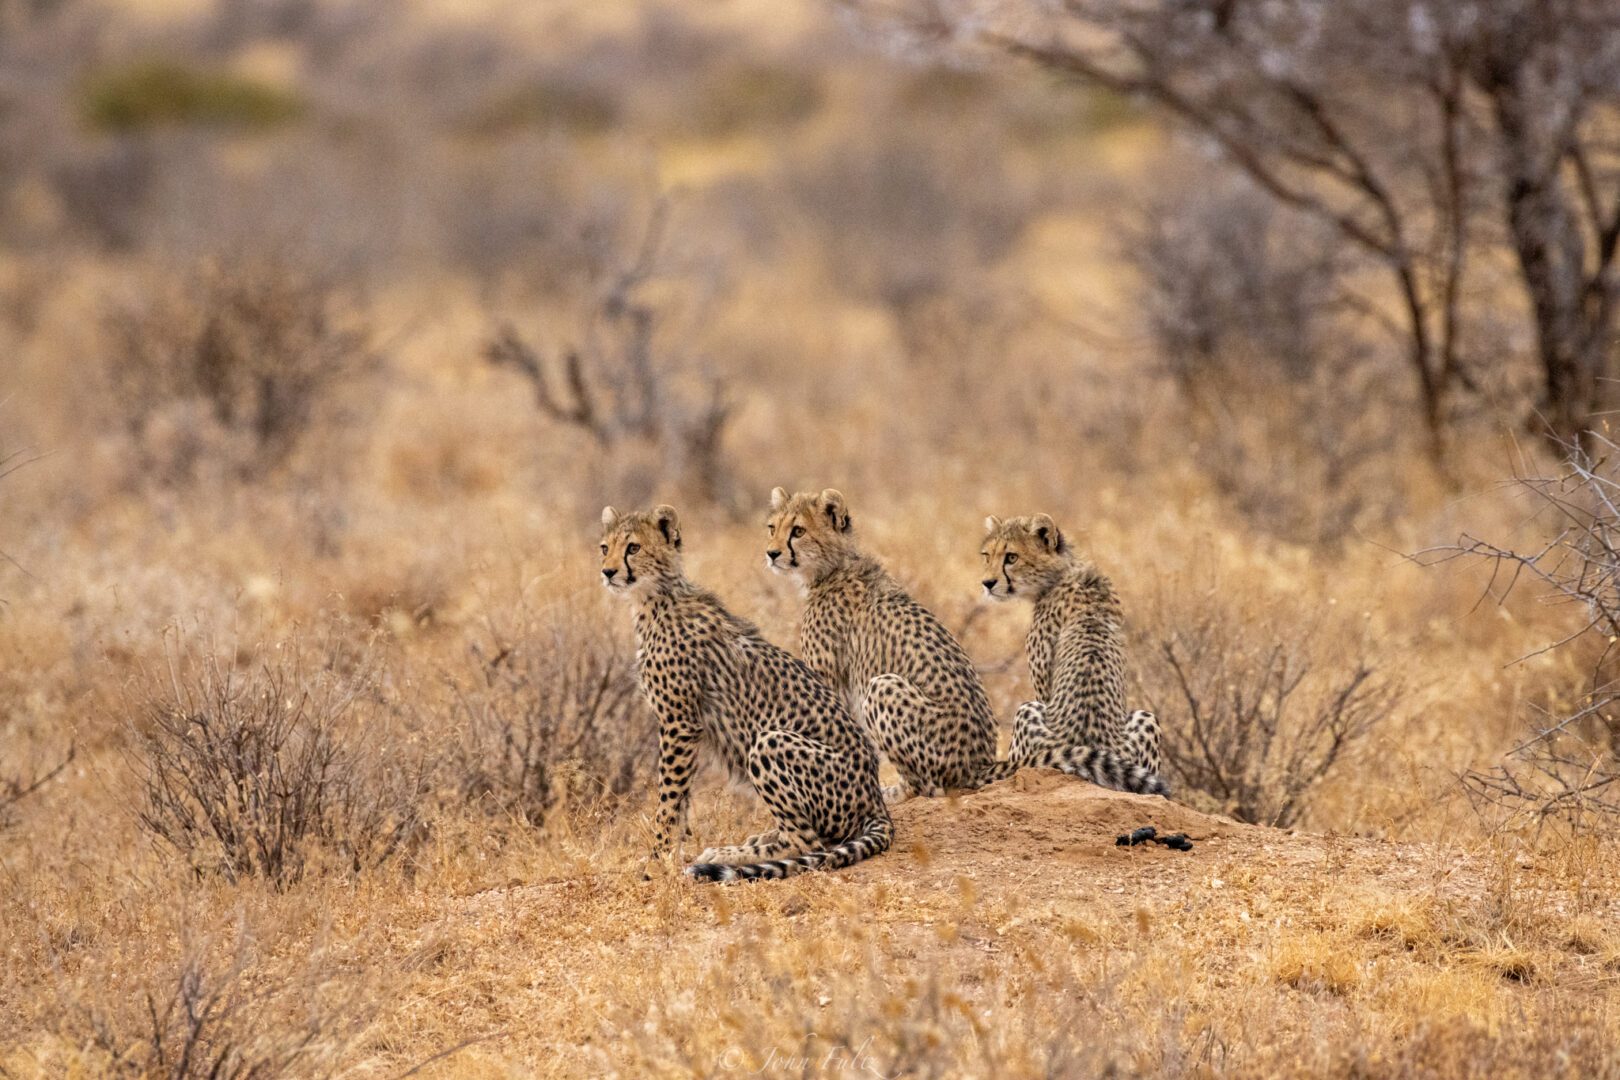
{"x":257,"y":773}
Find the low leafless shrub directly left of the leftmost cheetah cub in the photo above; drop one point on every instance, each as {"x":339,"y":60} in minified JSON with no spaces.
{"x":553,"y":718}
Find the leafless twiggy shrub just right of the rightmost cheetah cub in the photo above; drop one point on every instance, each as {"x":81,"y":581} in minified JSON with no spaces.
{"x":1253,"y":718}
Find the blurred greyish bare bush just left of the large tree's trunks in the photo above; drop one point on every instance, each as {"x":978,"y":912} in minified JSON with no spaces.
{"x":1247,"y":307}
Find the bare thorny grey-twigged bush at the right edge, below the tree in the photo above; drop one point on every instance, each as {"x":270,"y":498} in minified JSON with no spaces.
{"x":1569,"y":765}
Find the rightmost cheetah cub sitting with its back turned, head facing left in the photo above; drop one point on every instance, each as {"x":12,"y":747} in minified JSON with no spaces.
{"x":1076,"y":650}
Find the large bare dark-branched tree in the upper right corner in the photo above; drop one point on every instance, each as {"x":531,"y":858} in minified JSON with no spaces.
{"x":1426,"y":134}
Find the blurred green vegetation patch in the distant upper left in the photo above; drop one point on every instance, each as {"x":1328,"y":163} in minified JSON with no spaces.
{"x":161,"y":93}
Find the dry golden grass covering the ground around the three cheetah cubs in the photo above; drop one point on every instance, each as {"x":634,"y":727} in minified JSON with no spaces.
{"x":443,"y":521}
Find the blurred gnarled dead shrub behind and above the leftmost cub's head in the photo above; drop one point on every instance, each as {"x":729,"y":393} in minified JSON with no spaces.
{"x":615,"y":386}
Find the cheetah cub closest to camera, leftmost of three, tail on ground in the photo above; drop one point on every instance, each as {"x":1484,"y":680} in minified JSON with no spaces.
{"x":714,"y":679}
